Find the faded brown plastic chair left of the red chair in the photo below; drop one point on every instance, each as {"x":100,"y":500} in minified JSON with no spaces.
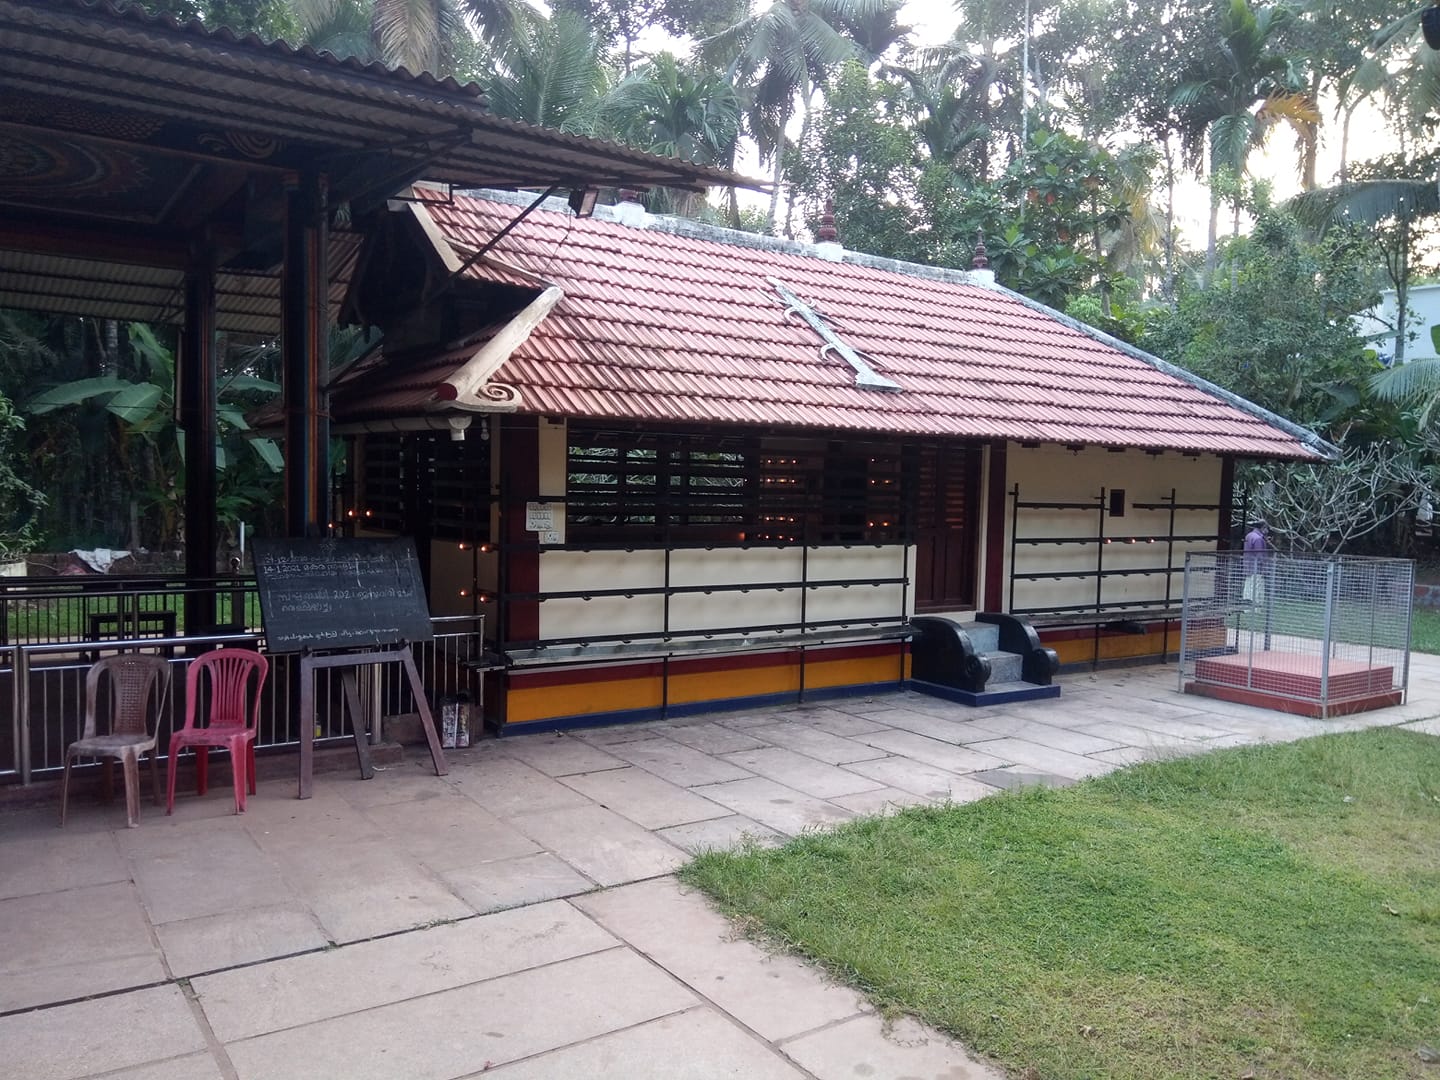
{"x":135,"y":679}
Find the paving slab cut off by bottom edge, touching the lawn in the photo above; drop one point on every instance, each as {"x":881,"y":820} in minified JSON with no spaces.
{"x":872,"y":1048}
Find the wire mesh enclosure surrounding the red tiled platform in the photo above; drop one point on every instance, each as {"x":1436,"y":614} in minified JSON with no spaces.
{"x":1320,"y":636}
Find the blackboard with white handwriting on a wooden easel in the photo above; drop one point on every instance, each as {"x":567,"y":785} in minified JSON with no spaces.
{"x":338,"y":593}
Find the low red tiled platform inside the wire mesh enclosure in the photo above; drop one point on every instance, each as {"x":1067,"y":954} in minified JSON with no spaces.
{"x":1291,"y":683}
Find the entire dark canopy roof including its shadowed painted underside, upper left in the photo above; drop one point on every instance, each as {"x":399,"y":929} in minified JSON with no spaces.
{"x":125,"y":138}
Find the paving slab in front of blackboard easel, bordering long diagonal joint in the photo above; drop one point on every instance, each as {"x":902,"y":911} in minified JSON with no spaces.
{"x":368,"y":888}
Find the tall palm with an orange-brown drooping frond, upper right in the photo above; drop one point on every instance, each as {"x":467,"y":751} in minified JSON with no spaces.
{"x":1233,"y":100}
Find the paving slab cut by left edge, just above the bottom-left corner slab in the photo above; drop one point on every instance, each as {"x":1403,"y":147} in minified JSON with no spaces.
{"x":77,"y":942}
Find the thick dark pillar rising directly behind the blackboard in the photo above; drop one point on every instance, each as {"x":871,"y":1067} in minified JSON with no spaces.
{"x":306,"y":356}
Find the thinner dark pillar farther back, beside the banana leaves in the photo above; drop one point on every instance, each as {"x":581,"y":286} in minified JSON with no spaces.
{"x":197,"y":377}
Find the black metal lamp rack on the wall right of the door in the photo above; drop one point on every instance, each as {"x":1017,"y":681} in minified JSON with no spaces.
{"x":1101,"y":613}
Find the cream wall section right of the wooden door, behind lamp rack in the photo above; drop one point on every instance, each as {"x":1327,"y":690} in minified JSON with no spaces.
{"x":1053,"y":474}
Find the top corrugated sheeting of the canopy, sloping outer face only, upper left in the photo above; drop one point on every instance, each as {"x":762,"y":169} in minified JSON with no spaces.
{"x":87,"y":51}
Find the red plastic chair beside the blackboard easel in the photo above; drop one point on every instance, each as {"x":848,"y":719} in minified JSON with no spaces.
{"x":230,"y":724}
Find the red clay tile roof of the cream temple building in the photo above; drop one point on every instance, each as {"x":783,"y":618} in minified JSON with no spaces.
{"x":667,"y":326}
